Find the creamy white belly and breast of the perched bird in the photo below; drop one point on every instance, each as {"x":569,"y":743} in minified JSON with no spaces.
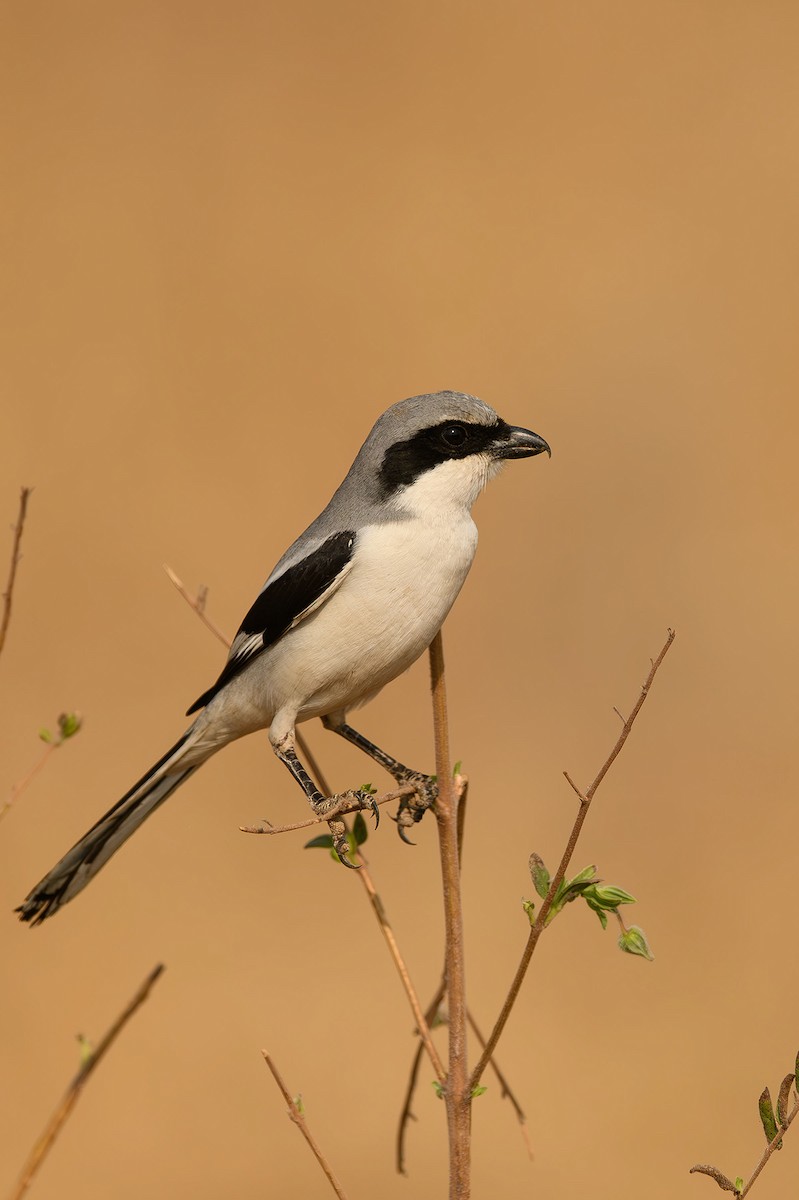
{"x":405,"y":580}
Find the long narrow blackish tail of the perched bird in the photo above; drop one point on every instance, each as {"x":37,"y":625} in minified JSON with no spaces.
{"x":82,"y":863}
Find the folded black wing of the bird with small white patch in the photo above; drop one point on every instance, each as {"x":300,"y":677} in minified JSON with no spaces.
{"x":295,"y":595}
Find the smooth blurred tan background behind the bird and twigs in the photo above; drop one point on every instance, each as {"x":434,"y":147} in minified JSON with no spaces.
{"x":233,"y":236}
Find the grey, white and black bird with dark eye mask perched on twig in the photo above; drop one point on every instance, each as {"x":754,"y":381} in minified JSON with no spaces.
{"x":352,"y":604}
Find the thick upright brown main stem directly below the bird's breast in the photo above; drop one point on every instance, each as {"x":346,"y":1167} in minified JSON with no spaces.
{"x":458,"y":1093}
